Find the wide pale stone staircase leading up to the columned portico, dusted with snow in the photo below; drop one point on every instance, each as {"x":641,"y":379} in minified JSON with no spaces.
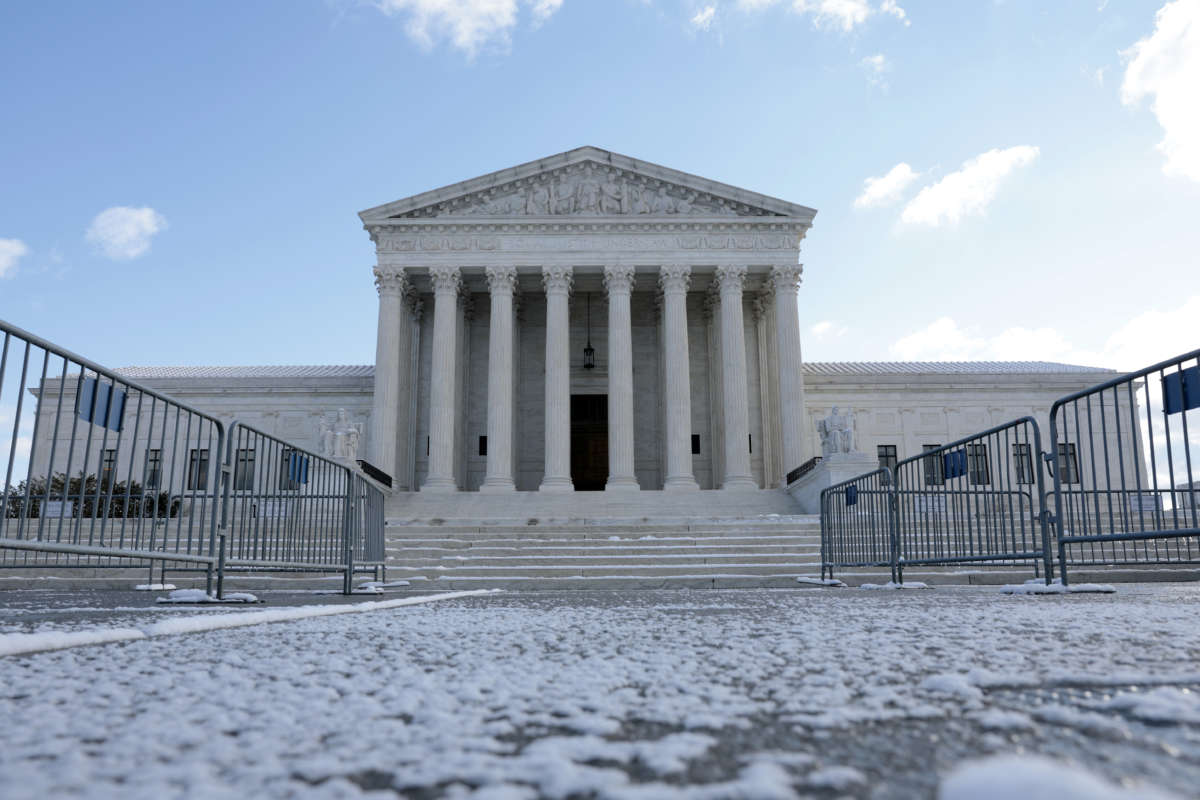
{"x":649,"y":540}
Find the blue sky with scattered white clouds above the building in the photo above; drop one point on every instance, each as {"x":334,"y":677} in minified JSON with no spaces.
{"x":179,"y":182}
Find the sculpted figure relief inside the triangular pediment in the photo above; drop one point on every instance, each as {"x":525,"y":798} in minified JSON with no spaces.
{"x":589,"y":190}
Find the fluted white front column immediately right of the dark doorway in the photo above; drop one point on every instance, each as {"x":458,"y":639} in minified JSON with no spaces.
{"x":619,"y":281}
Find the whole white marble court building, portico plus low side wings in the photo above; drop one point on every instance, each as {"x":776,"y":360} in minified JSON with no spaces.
{"x":595,"y":323}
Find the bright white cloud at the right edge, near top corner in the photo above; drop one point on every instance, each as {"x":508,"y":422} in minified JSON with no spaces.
{"x":1166,"y":67}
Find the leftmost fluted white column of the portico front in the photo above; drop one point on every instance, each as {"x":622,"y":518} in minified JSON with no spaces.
{"x":392,"y":350}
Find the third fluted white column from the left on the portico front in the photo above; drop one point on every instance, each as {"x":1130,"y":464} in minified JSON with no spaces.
{"x":502,"y":282}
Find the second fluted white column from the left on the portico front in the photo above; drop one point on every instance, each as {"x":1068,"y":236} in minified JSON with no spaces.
{"x":445,"y":380}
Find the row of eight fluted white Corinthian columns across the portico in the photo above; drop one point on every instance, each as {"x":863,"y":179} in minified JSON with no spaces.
{"x":392,"y":352}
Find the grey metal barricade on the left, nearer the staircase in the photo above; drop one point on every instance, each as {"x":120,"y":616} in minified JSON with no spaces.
{"x":289,"y":509}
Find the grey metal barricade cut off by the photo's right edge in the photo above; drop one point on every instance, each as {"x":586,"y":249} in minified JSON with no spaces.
{"x":1126,"y":461}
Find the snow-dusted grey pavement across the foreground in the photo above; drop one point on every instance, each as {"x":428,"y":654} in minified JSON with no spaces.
{"x":757,"y":695}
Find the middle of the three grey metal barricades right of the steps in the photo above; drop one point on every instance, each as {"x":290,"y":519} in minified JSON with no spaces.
{"x":977,"y":501}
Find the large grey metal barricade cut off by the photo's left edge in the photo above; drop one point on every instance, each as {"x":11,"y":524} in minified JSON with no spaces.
{"x":99,"y":471}
